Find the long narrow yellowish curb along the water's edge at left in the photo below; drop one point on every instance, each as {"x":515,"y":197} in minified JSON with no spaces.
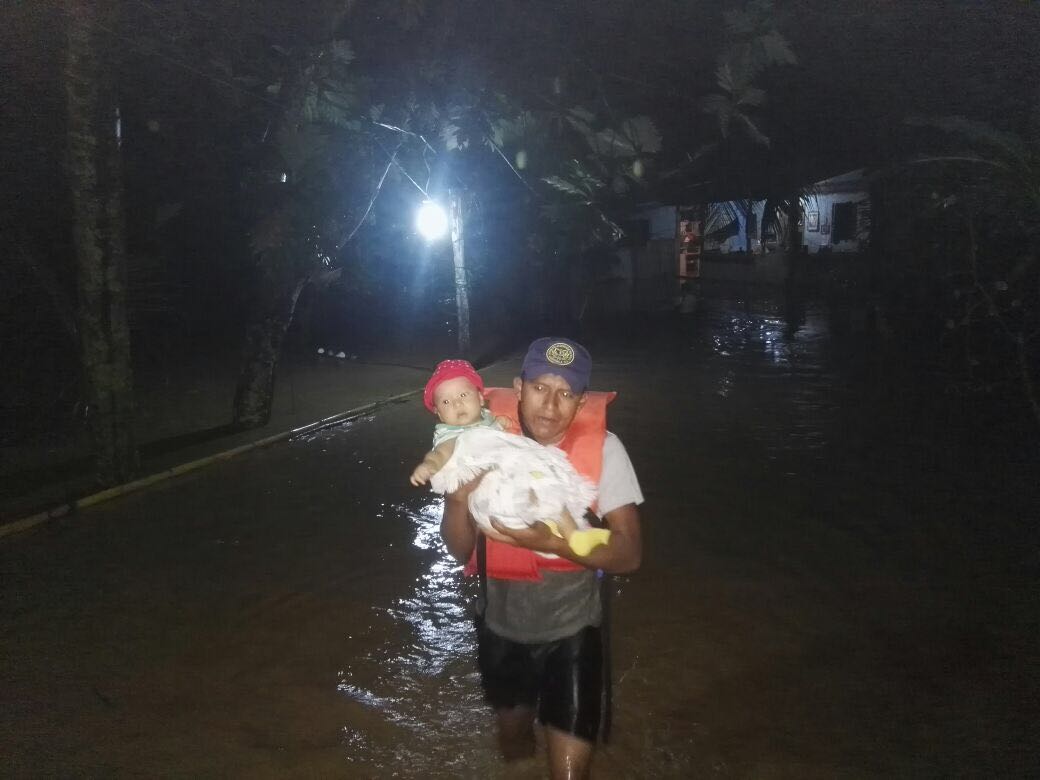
{"x":17,"y":527}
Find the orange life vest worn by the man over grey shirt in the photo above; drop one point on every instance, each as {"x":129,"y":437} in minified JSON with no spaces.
{"x":584,"y":446}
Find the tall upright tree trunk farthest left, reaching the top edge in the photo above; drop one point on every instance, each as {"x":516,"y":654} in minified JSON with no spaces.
{"x":95,"y":176}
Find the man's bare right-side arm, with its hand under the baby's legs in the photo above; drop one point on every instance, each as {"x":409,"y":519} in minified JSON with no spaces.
{"x":622,"y":555}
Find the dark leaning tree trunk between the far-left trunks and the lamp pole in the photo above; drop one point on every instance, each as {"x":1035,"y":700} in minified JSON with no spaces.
{"x":265,"y":339}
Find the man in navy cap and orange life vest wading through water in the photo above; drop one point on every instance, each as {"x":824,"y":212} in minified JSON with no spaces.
{"x":541,"y":645}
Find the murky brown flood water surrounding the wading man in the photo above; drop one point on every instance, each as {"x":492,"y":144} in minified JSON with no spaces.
{"x":840,"y":581}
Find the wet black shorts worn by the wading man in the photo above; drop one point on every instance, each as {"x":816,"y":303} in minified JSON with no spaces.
{"x":563,"y":680}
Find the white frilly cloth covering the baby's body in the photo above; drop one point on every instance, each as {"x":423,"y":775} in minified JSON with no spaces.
{"x":524,"y":482}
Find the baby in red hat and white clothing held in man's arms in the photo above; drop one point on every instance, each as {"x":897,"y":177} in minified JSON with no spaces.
{"x":524,"y":482}
